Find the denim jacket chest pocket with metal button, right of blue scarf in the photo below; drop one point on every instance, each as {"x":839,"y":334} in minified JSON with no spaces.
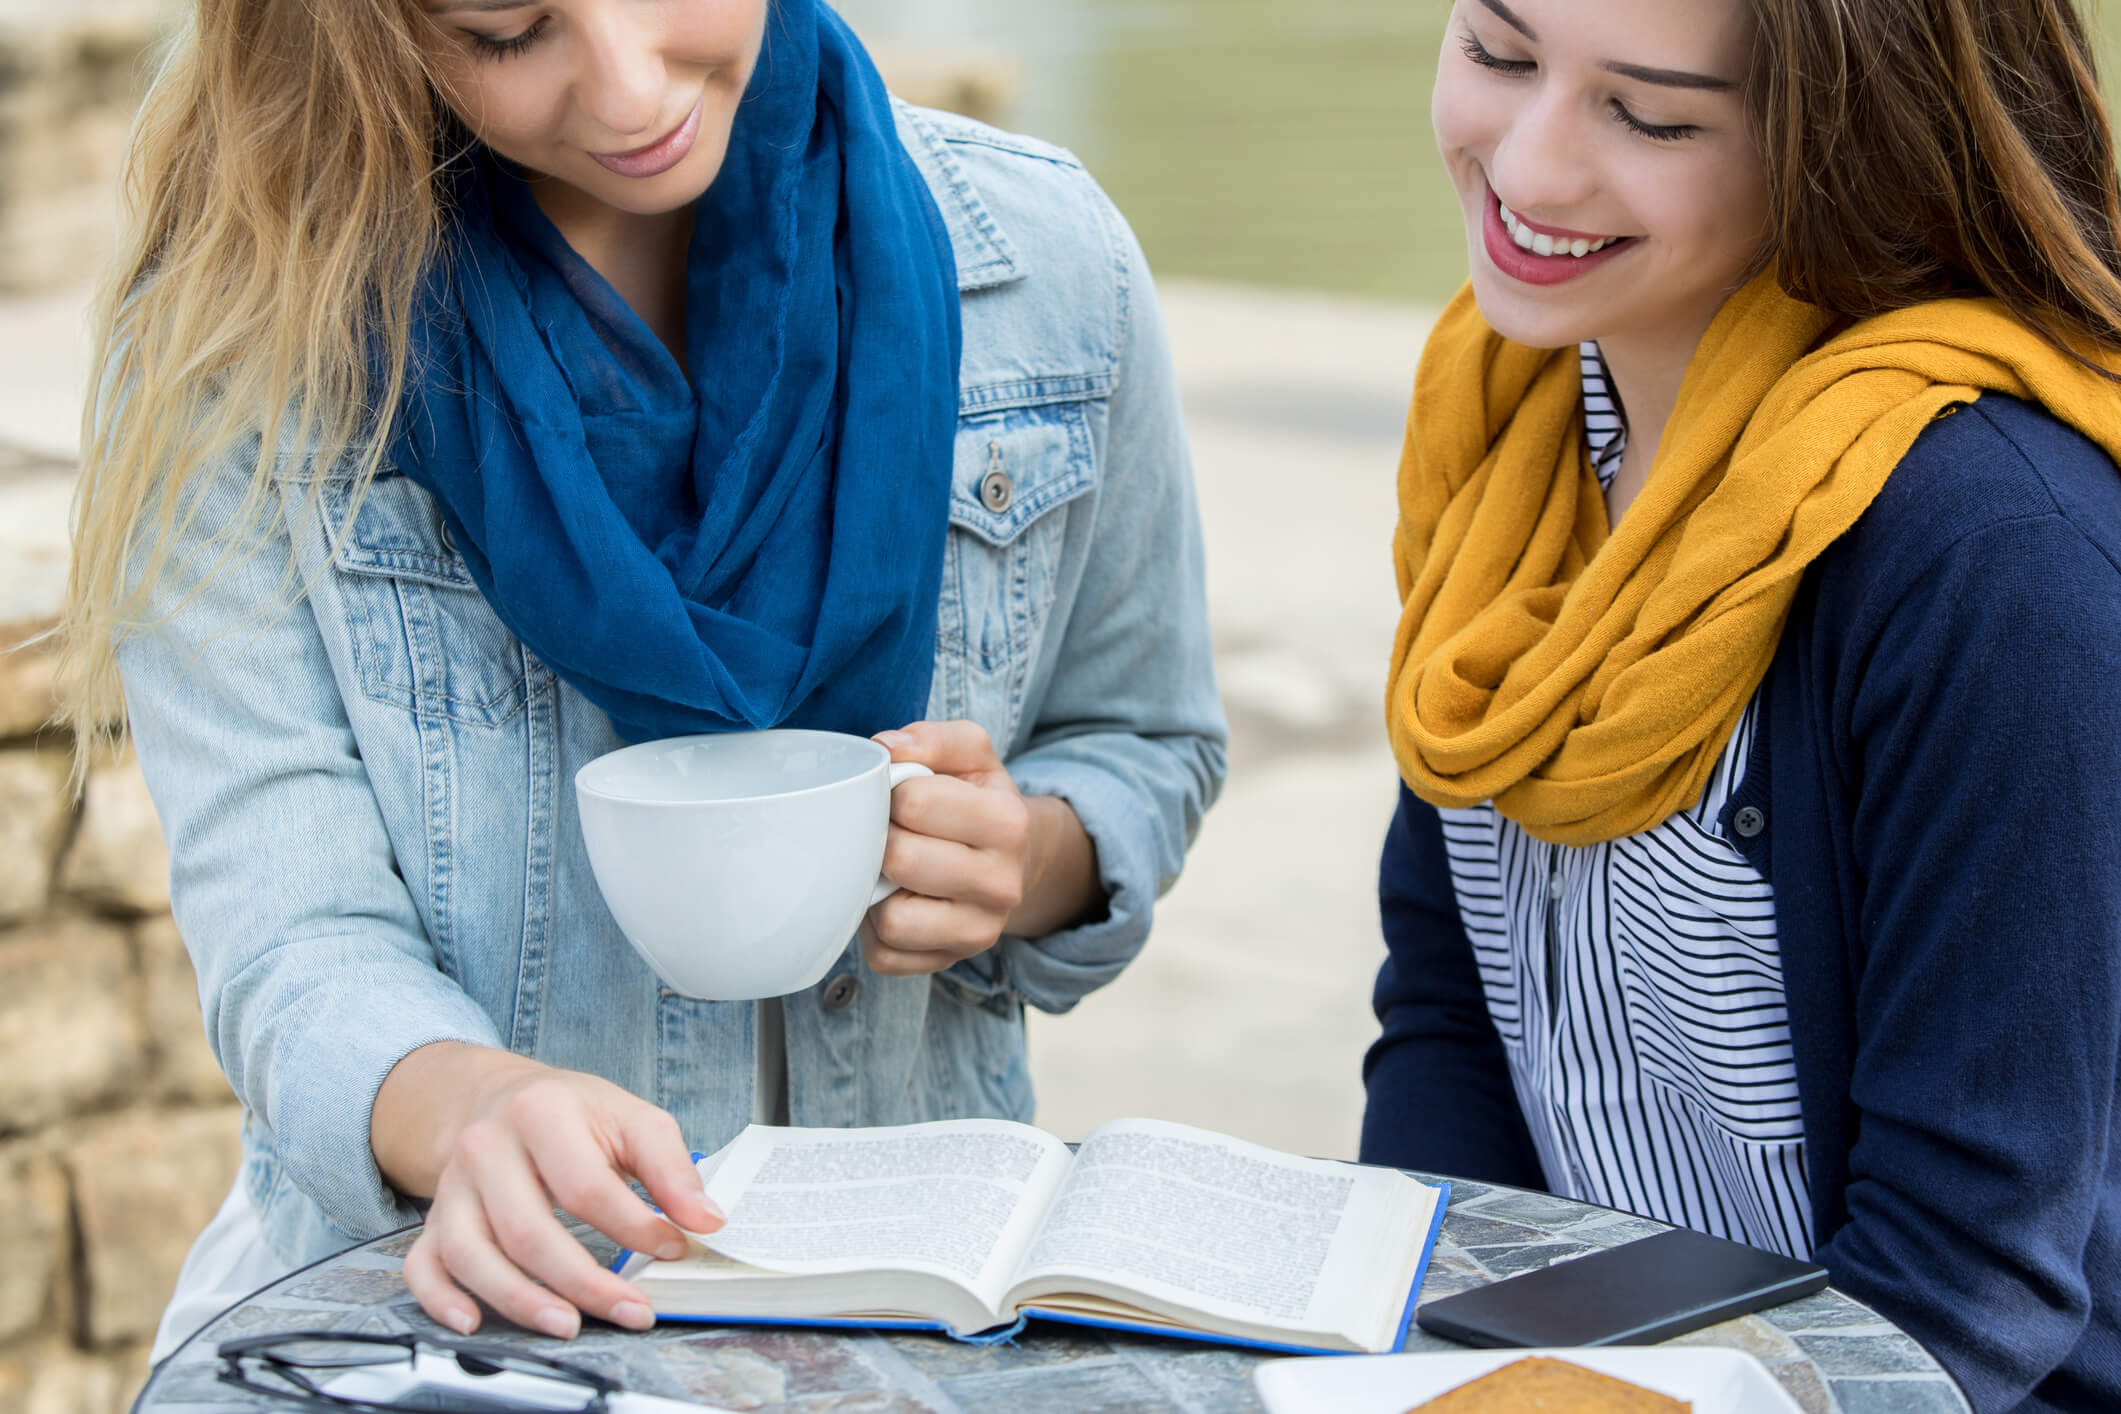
{"x":1013,"y":474}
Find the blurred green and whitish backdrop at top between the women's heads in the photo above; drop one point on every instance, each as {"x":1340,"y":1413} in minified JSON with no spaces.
{"x":1257,"y":141}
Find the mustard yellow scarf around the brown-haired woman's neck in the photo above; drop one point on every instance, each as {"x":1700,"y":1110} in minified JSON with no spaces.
{"x":1585,"y":679}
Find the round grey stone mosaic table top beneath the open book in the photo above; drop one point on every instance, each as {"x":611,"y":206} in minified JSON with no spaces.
{"x":1829,"y":1351}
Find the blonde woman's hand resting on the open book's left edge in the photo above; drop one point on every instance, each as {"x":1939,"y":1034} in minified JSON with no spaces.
{"x":506,"y":1142}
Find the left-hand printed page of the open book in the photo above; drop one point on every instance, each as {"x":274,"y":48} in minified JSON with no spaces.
{"x":956,"y":1199}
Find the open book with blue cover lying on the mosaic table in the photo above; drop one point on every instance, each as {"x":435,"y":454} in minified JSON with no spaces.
{"x":977,"y":1224}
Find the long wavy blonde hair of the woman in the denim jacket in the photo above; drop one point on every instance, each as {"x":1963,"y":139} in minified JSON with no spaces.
{"x":279,"y":213}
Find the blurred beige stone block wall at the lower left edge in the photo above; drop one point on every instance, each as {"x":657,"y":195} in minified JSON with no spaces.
{"x":118,"y":1133}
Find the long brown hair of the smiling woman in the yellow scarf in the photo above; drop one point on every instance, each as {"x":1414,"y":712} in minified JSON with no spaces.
{"x":1921,"y":149}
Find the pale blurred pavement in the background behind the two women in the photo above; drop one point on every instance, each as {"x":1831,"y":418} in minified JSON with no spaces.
{"x":1248,"y":1010}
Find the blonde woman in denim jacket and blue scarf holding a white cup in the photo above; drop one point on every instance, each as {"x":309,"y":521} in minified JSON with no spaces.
{"x":489,"y":385}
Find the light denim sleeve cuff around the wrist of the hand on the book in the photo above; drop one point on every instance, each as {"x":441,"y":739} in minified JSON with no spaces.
{"x":332,"y":1050}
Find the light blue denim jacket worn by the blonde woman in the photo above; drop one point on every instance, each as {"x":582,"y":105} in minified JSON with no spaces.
{"x":370,"y":796}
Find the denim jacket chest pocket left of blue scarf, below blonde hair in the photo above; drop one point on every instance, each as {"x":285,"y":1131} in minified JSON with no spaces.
{"x":421,"y":631}
